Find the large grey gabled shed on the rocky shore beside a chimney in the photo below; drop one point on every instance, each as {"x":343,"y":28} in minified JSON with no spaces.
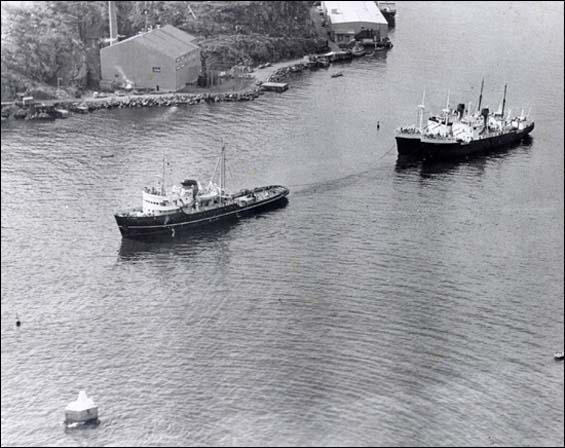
{"x":164,"y":58}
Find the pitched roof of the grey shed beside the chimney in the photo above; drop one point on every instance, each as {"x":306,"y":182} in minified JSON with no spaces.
{"x":167,"y":39}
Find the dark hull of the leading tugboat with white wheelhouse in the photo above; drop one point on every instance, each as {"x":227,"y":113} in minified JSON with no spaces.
{"x":154,"y":226}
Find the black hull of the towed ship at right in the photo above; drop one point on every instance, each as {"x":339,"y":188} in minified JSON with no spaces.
{"x":441,"y":150}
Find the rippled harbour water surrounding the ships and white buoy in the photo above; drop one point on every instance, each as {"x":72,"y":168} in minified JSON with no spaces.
{"x":385,"y":305}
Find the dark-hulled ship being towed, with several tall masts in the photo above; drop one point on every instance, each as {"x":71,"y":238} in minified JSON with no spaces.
{"x":456,"y":133}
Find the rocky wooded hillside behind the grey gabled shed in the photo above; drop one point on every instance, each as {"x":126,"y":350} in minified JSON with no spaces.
{"x":53,"y":42}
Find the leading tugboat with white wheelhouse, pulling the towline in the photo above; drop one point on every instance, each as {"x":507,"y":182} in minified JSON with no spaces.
{"x":189,"y":204}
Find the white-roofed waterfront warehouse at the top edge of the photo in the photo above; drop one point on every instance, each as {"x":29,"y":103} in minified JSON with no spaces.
{"x":347,"y":19}
